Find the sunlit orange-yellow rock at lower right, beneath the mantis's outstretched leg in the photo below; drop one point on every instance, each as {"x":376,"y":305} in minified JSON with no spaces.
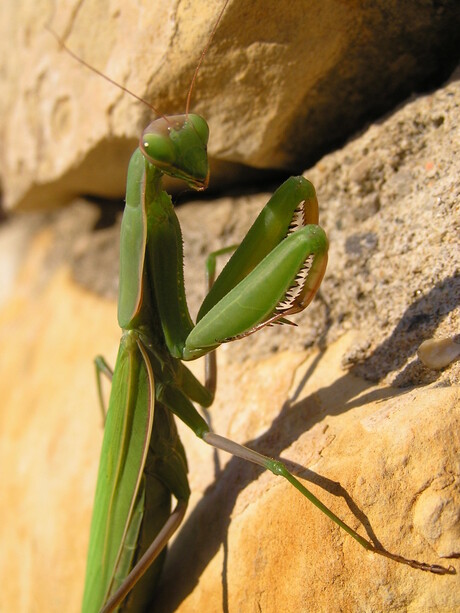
{"x":252,"y":543}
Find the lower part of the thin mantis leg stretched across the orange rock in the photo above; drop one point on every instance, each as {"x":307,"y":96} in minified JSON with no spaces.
{"x":278,"y":468}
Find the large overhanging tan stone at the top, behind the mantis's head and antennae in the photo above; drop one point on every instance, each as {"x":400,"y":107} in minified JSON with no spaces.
{"x":282,"y":82}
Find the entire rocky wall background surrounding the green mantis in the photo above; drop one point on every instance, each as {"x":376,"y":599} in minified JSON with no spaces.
{"x":363,"y":98}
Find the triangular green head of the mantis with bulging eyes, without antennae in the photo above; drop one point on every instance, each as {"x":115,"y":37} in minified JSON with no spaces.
{"x":177,"y":146}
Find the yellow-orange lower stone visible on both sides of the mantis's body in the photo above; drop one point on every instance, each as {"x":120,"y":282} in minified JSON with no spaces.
{"x":383,"y":459}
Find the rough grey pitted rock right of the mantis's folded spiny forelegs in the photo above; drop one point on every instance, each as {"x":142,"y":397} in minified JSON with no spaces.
{"x":390,"y":202}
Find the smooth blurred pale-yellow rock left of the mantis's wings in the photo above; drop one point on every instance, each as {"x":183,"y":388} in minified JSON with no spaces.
{"x":51,"y":432}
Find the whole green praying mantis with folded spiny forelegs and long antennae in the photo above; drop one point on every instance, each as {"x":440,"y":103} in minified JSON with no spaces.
{"x":273,"y":274}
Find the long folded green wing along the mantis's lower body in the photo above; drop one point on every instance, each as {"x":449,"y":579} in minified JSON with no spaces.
{"x":126,"y":439}
